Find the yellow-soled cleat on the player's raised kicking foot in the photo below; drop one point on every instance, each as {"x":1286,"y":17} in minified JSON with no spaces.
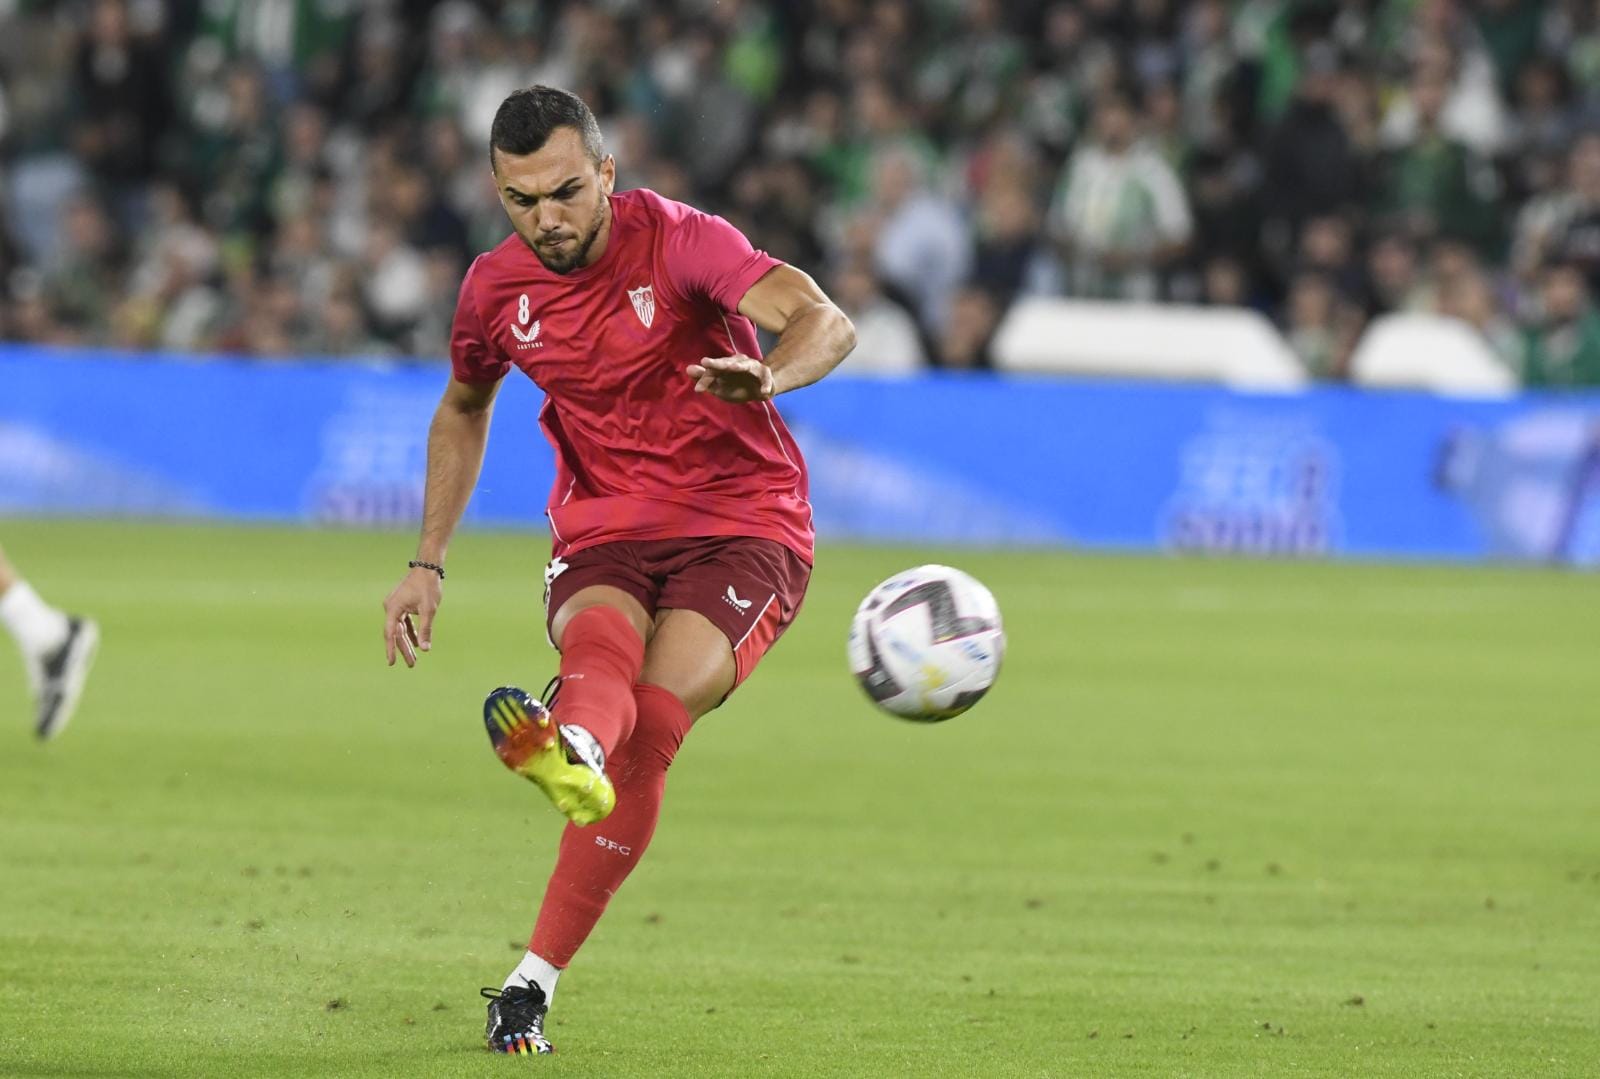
{"x":567,"y":763}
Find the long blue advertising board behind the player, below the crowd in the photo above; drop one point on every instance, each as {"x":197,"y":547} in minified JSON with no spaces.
{"x":978,"y":460}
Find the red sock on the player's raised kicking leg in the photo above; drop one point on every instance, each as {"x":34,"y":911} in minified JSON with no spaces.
{"x":602,"y":656}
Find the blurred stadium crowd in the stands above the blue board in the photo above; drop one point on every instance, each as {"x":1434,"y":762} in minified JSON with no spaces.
{"x":310,"y":177}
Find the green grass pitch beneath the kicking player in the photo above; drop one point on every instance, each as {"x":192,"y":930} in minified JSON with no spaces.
{"x":1218,"y":819}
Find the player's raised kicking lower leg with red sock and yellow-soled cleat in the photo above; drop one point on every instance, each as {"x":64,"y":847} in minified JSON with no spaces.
{"x":564,"y":748}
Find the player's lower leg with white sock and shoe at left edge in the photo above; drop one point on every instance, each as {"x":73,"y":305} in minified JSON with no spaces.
{"x":57,"y":651}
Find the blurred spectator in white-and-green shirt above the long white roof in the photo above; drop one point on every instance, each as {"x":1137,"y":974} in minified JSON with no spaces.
{"x":1121,"y":214}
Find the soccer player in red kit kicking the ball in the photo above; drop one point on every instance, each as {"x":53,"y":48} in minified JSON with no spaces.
{"x":679,"y":519}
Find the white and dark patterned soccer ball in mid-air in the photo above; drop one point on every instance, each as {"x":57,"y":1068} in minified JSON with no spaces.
{"x":927,"y":643}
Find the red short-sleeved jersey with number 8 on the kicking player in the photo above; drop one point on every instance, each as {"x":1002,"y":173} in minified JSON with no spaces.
{"x":639,"y":455}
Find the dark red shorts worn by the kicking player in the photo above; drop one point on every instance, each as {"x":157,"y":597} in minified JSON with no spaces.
{"x":751,"y":590}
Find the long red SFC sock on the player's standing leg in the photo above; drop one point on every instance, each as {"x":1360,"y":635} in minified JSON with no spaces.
{"x":598,"y":859}
